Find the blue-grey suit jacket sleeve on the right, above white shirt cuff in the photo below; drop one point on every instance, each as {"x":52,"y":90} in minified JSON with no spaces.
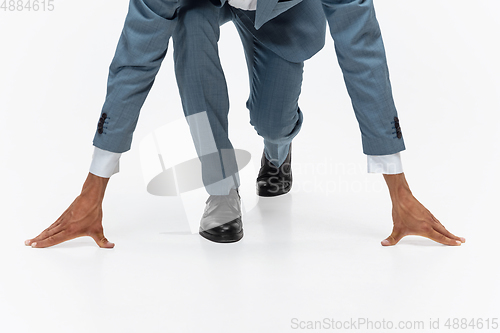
{"x":361,"y":55}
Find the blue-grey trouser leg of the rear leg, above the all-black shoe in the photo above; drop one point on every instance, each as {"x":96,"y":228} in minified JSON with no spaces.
{"x":275,"y":86}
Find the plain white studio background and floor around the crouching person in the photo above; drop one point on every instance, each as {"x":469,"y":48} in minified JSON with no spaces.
{"x":312,"y":254}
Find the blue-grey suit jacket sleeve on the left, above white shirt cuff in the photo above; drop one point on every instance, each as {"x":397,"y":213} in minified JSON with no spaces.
{"x":140,"y":51}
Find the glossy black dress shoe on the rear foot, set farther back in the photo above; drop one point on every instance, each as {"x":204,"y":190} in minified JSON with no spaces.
{"x":273,"y":181}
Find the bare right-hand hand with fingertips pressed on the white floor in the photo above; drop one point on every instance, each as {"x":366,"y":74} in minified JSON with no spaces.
{"x":410,"y":217}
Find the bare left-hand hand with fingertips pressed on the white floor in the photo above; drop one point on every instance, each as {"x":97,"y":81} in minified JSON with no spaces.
{"x":82,"y":218}
